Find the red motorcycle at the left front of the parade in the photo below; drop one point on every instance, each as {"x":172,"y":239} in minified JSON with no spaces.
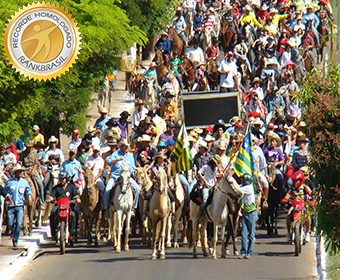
{"x":63,"y":219}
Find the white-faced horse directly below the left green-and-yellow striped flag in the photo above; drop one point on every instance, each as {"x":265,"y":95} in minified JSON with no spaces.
{"x":179,"y":201}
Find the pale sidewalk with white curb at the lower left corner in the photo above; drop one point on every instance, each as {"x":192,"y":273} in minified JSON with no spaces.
{"x":13,"y":259}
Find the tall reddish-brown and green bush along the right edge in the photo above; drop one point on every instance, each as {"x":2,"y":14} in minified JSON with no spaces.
{"x":320,"y":98}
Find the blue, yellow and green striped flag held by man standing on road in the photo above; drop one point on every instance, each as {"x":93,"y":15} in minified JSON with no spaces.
{"x":244,"y":161}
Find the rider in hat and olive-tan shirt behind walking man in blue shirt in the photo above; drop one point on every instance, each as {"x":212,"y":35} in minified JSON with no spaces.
{"x":29,"y":159}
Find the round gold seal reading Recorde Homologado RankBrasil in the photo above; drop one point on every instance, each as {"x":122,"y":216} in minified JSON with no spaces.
{"x":42,"y":41}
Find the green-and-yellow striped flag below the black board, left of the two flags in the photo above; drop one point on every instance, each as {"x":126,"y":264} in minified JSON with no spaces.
{"x":181,"y":153}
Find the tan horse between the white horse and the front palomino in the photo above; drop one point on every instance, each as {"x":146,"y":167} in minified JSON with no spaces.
{"x":144,"y":181}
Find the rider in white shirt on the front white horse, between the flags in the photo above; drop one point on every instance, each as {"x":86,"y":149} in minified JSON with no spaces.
{"x":208,"y":175}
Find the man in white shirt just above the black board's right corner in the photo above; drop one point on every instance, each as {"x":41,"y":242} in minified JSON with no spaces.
{"x":228,"y":70}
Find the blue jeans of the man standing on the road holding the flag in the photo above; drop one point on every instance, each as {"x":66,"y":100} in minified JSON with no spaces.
{"x":248,"y":229}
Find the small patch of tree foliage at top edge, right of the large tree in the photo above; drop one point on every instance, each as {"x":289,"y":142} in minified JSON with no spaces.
{"x":151,"y":16}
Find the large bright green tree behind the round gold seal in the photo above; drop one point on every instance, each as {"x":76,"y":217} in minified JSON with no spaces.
{"x":106,"y":32}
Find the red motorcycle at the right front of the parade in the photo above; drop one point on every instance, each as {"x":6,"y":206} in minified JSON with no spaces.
{"x":298,"y":227}
